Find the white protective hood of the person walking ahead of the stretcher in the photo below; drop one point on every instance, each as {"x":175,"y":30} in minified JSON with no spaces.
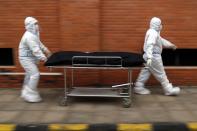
{"x":155,"y":24}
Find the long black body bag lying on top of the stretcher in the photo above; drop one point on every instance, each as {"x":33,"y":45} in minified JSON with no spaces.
{"x":65,"y":58}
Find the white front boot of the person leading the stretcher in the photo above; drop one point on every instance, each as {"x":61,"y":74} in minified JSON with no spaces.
{"x":169,"y":90}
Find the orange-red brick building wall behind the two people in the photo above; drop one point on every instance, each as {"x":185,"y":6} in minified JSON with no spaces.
{"x":98,"y":25}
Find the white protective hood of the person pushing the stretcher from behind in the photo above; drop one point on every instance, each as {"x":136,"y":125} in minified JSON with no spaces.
{"x":31,"y":26}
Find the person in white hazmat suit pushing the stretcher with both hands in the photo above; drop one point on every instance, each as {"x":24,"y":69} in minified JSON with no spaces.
{"x":31,"y":50}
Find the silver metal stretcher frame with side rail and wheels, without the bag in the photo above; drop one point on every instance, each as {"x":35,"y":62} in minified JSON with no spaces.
{"x":123,"y":91}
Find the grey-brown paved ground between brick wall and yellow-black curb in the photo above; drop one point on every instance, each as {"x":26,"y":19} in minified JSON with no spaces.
{"x":146,"y":108}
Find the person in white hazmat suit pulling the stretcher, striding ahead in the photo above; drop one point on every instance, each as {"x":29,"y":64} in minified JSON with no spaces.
{"x":153,"y":45}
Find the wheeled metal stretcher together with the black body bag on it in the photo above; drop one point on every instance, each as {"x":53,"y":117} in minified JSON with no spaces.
{"x":97,"y":60}
